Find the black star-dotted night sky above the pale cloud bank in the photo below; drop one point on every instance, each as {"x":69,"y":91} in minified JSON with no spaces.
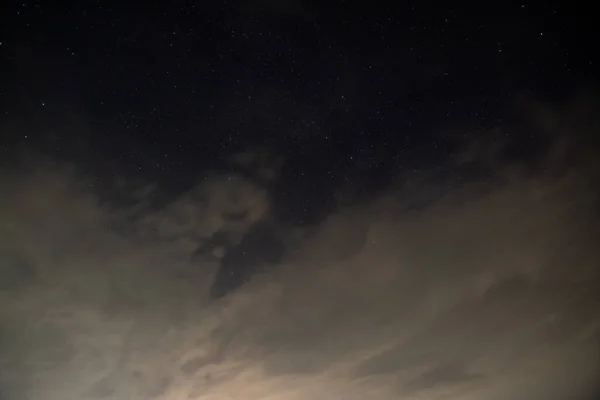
{"x":353,"y":88}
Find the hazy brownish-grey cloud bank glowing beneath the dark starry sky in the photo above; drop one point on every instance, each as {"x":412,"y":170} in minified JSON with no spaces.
{"x":483,"y":290}
